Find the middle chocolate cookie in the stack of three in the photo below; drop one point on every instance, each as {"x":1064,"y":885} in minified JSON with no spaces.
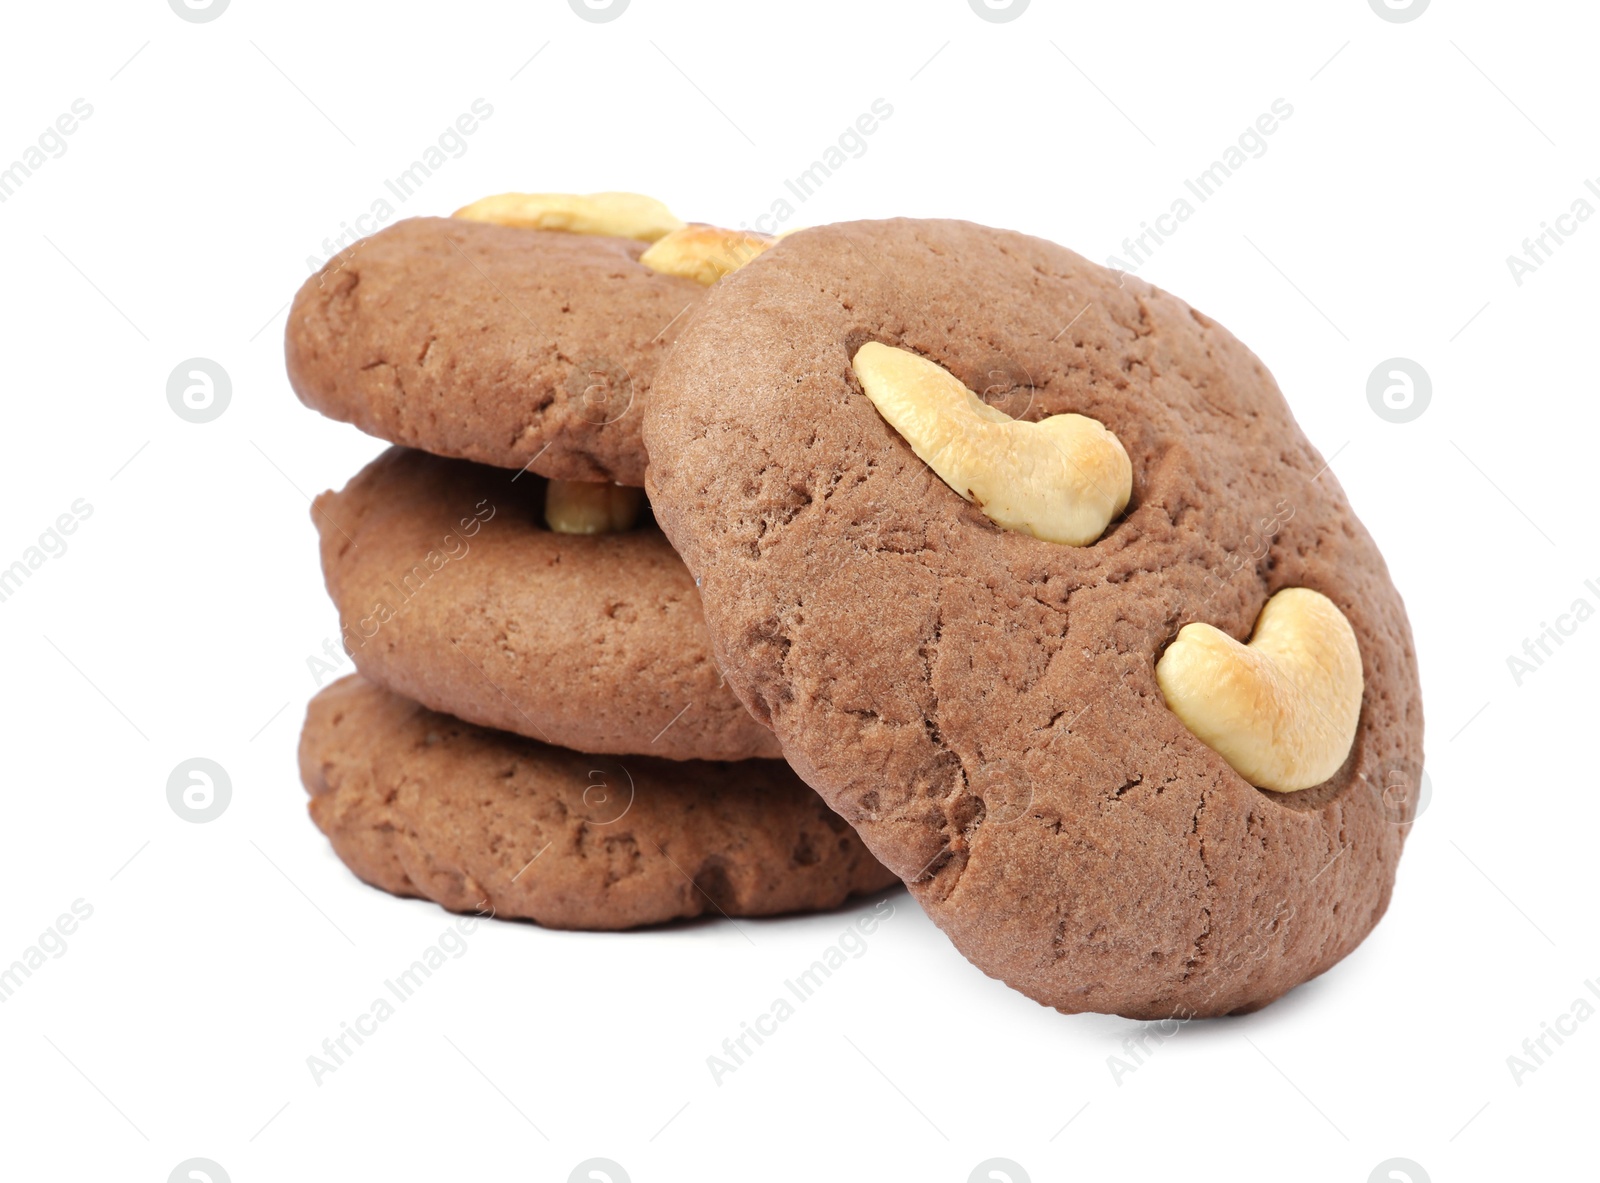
{"x":454,"y":593}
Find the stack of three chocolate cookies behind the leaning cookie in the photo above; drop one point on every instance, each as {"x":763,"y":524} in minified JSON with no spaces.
{"x":538,"y":728}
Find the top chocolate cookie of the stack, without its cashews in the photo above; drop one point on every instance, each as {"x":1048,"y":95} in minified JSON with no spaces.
{"x":492,"y":343}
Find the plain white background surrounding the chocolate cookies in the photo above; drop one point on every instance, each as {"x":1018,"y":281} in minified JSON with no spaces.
{"x":180,"y":620}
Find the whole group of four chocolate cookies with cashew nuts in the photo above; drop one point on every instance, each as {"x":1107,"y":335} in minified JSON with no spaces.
{"x":1022,"y":564}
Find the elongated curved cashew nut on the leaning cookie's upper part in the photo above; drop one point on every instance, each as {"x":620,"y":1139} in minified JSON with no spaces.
{"x":1062,"y":479}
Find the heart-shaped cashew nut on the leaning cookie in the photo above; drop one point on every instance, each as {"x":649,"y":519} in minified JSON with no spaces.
{"x":1282,"y":710}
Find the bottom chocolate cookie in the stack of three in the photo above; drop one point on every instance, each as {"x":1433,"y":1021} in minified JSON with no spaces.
{"x":422,"y":804}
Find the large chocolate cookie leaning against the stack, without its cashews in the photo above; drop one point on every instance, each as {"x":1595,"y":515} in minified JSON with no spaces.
{"x":983,"y":704}
